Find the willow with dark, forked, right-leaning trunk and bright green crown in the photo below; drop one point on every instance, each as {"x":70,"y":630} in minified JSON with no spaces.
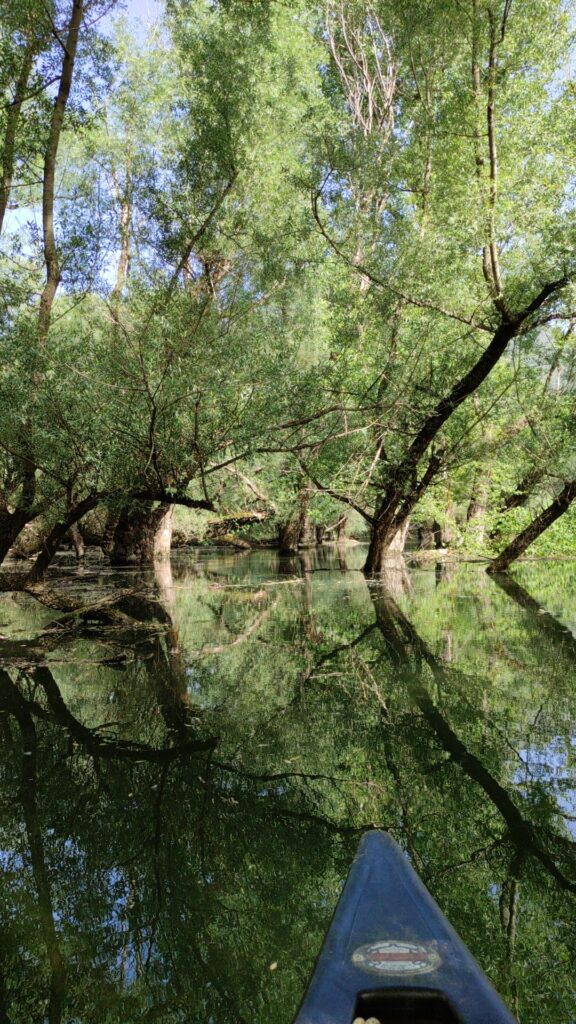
{"x":467,"y":244}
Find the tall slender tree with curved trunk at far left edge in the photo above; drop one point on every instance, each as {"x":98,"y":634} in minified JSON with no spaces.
{"x":47,"y":97}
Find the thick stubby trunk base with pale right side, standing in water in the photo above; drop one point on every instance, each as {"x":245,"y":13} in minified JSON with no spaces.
{"x":143,"y":535}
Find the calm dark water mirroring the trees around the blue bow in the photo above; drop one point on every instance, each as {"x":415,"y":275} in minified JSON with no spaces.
{"x":187,"y":771}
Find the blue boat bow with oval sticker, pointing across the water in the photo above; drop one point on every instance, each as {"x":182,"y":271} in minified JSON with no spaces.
{"x":391,"y":956}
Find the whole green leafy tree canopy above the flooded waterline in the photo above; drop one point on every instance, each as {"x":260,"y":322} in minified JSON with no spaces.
{"x":290,"y":261}
